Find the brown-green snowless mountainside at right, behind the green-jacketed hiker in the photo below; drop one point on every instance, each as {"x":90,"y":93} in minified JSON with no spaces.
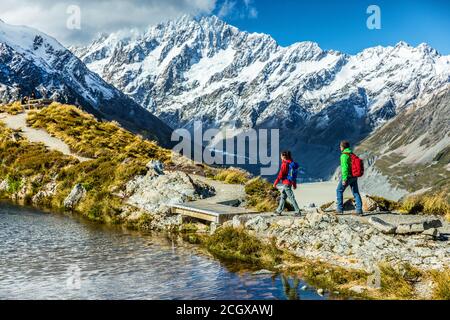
{"x":413,"y":149}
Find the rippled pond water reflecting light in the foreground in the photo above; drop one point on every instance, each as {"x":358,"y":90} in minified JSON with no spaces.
{"x":52,"y":256}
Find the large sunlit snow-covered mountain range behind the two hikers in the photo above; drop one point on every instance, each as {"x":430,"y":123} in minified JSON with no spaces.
{"x":190,"y":69}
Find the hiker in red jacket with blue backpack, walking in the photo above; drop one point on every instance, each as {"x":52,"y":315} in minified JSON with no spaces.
{"x":288,"y":177}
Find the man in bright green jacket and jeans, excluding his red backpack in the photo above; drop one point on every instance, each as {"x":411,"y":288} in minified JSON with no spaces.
{"x":347,"y":180}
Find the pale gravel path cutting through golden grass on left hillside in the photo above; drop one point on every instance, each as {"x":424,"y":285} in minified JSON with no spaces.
{"x":18,"y":121}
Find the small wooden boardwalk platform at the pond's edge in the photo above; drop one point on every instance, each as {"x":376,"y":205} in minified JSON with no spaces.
{"x":208,"y":211}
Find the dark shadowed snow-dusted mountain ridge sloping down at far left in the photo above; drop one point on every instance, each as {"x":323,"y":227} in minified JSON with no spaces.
{"x":33,"y":61}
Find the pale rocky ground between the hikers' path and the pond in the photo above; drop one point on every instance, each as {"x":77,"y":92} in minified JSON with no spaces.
{"x":345,"y":241}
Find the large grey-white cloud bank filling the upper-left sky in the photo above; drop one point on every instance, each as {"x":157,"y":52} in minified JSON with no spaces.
{"x":97,"y":16}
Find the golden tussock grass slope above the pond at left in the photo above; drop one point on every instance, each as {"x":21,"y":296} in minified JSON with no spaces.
{"x":118,"y":156}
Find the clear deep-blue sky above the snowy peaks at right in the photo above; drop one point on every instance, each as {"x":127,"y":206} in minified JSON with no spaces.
{"x":341,"y":24}
